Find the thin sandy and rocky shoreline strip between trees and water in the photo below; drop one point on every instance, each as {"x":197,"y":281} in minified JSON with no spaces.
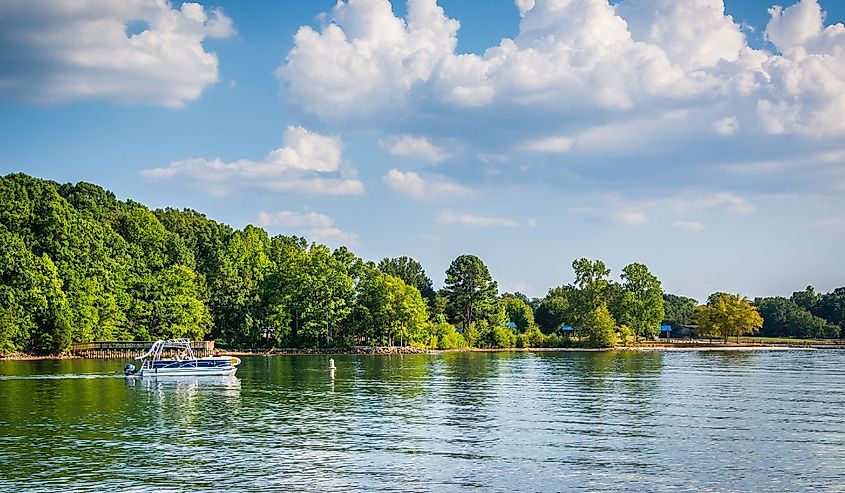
{"x":402,"y":350}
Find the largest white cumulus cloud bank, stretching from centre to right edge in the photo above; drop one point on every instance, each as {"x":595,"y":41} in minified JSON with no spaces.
{"x":617,"y":63}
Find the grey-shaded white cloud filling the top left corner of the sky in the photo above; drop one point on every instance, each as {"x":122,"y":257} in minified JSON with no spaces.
{"x":128,"y":52}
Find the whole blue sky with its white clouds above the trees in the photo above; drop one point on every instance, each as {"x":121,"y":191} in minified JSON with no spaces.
{"x":702,"y":138}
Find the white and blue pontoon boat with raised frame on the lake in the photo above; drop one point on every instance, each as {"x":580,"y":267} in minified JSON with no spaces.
{"x":180,"y":361}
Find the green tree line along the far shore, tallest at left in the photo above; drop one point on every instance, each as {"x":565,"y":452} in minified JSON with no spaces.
{"x":79,"y":265}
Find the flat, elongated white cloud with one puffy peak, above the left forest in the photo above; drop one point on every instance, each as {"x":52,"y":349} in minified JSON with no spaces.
{"x":308,"y":163}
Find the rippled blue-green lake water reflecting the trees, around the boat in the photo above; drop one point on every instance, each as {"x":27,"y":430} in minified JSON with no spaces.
{"x":552,"y":421}
